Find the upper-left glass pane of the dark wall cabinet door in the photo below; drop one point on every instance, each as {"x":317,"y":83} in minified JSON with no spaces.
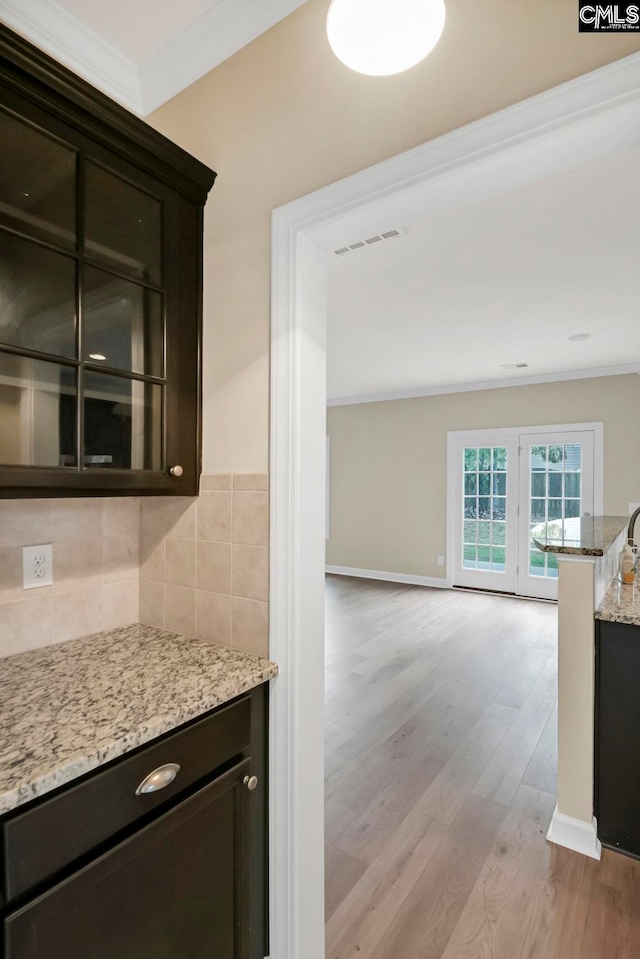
{"x":37,"y":183}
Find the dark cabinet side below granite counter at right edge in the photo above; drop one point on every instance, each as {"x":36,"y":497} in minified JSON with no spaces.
{"x":617,"y":773}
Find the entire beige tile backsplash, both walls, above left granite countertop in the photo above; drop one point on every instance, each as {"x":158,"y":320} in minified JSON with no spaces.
{"x":198,"y":566}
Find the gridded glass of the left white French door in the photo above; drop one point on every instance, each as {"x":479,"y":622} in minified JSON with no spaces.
{"x":485,"y":476}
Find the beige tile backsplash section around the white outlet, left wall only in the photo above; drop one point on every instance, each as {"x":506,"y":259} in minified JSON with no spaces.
{"x":96,"y":564}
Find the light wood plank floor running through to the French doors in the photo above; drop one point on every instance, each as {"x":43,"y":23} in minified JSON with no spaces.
{"x":441,"y":712}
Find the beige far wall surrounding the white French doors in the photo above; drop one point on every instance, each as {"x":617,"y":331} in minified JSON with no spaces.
{"x":388,"y":462}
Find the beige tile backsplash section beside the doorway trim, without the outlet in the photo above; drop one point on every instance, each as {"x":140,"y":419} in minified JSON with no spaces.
{"x":204,"y":562}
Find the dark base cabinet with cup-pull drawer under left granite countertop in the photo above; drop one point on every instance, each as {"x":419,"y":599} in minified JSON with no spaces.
{"x":185,"y":880}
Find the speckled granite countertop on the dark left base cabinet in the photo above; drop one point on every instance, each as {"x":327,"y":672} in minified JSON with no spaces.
{"x":67,"y":709}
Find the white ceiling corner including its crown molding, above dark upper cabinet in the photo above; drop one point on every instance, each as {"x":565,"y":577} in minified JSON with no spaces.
{"x":143,"y":52}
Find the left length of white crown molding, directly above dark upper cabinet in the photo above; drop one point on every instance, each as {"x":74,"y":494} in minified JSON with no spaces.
{"x":68,"y":40}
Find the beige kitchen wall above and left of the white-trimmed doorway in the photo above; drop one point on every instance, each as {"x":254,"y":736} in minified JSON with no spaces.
{"x":283,"y":117}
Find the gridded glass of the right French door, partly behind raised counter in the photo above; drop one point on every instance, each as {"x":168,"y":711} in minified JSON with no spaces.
{"x":556,"y":470}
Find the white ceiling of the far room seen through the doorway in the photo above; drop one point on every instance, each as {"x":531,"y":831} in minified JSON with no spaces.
{"x":506,"y":280}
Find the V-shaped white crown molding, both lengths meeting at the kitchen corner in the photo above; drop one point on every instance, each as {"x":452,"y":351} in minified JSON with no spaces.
{"x":213,"y":38}
